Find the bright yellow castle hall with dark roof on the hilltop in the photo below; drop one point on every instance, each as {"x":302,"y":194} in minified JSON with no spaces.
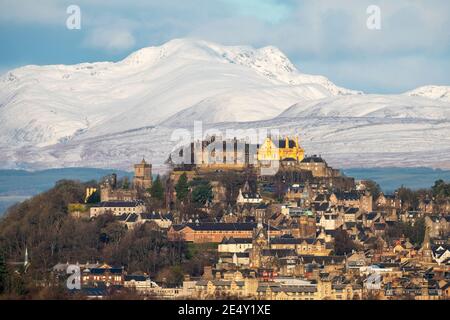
{"x":287,"y":149}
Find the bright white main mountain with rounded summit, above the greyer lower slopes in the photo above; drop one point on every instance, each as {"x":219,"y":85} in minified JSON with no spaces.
{"x":150,"y":86}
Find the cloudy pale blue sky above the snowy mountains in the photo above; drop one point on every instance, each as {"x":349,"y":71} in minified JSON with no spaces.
{"x":320,"y":37}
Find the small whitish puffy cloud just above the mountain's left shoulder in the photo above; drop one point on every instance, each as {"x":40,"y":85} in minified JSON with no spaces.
{"x":110,"y":39}
